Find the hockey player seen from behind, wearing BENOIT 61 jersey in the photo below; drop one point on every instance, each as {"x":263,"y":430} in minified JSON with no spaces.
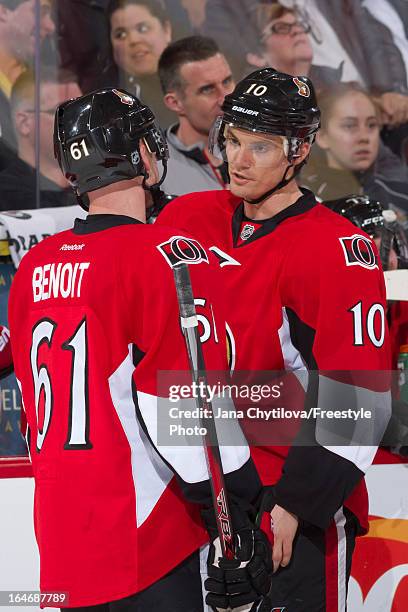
{"x":94,"y":318}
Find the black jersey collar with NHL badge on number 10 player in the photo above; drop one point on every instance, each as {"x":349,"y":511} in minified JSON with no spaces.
{"x":306,"y":202}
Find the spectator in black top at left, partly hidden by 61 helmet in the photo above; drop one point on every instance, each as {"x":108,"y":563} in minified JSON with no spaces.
{"x":18,"y":186}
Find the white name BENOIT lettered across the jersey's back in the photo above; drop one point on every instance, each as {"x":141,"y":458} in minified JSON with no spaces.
{"x":58,"y":280}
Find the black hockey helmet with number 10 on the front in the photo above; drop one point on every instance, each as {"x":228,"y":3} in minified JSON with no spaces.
{"x":270,"y":102}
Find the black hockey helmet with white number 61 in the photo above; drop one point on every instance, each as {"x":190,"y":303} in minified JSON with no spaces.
{"x":96,"y":139}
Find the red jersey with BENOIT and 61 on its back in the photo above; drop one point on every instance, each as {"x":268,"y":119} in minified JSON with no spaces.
{"x":93,"y":317}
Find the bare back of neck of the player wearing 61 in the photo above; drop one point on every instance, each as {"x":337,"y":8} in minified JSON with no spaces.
{"x":123,"y":198}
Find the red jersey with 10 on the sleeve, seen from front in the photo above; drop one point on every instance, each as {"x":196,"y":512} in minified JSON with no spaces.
{"x":305,"y":293}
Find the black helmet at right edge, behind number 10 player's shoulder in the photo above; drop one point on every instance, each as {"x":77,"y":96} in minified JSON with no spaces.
{"x":370,"y":216}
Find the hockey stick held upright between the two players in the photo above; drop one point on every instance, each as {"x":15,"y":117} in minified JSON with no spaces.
{"x":189,"y":324}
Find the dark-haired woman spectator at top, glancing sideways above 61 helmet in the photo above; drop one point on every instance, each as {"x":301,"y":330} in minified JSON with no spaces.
{"x":139,"y":31}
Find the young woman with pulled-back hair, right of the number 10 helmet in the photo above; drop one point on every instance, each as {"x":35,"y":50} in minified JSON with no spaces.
{"x":346,"y":160}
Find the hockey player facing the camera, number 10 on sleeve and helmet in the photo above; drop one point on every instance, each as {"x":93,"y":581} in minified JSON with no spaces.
{"x":305,"y":291}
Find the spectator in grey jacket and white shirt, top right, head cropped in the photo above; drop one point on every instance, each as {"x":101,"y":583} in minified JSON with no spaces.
{"x":346,"y":31}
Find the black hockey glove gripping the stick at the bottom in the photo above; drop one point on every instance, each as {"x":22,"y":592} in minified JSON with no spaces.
{"x":246,"y":579}
